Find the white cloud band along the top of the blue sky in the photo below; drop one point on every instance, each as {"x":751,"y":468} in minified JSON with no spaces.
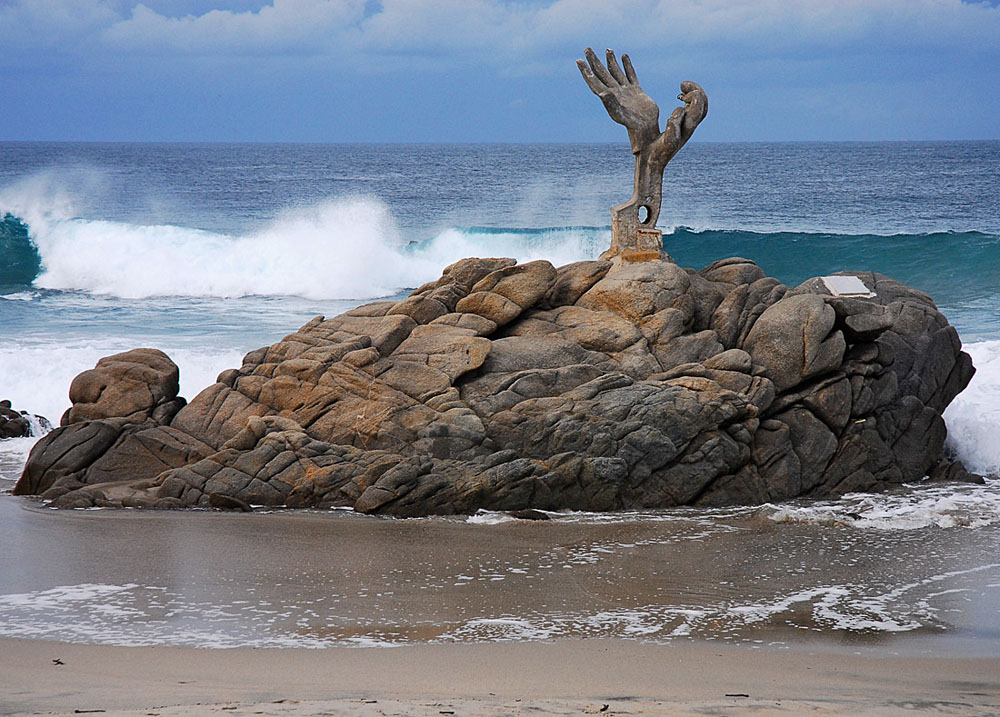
{"x":506,"y":33}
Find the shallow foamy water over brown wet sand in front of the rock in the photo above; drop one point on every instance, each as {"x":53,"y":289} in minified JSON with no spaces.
{"x":313,"y":579}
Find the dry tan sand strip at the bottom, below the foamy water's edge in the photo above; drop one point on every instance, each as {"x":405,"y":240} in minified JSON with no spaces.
{"x":559,"y":677}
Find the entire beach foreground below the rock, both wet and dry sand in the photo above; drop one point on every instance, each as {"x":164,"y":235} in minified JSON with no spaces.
{"x":491,"y":618}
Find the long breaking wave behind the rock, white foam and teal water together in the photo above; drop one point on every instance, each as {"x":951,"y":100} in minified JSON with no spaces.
{"x":354,"y":248}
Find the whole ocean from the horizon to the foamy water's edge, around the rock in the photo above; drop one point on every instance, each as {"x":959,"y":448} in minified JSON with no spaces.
{"x":210,"y":251}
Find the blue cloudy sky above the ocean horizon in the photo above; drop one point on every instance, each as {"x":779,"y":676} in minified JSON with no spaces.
{"x":491,"y":70}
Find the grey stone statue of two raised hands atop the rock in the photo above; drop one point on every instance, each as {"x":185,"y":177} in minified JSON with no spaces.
{"x":633,"y":223}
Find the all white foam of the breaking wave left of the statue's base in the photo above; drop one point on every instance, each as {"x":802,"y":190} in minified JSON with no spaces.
{"x":341,"y":248}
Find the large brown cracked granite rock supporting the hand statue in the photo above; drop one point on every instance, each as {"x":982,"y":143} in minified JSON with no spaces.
{"x":602,"y":385}
